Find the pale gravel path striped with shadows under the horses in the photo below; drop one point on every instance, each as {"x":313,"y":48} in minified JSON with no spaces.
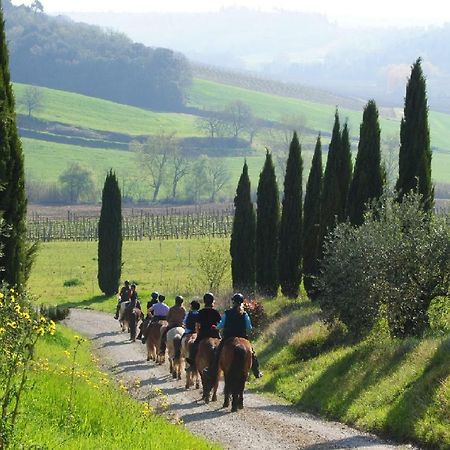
{"x":263,"y":424}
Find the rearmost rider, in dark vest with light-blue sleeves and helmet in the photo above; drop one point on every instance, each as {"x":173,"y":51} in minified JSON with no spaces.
{"x":235,"y":323}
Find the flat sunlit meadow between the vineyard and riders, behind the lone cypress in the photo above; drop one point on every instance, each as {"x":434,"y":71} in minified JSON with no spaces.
{"x":169,"y":267}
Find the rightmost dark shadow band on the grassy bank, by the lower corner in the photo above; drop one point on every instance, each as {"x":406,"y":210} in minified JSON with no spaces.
{"x":416,"y":399}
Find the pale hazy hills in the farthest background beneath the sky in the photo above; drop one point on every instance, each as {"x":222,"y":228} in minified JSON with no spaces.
{"x":300,"y":48}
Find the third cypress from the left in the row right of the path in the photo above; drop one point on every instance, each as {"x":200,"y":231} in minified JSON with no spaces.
{"x":291,"y":236}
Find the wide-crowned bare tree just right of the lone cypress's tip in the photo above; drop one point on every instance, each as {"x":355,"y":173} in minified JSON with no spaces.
{"x":153,"y":156}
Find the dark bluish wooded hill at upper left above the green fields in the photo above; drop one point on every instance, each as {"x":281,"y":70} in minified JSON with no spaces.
{"x":59,"y":53}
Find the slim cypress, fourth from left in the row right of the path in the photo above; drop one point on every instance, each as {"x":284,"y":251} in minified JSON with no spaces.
{"x":311,"y":220}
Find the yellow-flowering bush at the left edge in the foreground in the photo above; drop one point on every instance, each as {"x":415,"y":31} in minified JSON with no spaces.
{"x":20,"y":329}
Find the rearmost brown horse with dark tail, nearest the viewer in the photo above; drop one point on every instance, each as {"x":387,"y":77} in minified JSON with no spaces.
{"x":235,"y":362}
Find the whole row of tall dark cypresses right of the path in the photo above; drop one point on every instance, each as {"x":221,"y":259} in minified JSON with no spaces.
{"x":268,"y":252}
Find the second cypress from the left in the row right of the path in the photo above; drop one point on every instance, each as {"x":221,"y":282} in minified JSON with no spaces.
{"x":267,"y":227}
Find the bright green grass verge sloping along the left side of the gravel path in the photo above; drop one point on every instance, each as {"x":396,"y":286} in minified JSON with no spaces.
{"x":102,"y":415}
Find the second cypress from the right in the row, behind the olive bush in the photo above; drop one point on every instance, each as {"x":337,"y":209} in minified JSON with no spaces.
{"x":367,"y":182}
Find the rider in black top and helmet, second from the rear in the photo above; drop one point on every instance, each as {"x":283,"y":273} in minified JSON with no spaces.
{"x":206,"y":326}
